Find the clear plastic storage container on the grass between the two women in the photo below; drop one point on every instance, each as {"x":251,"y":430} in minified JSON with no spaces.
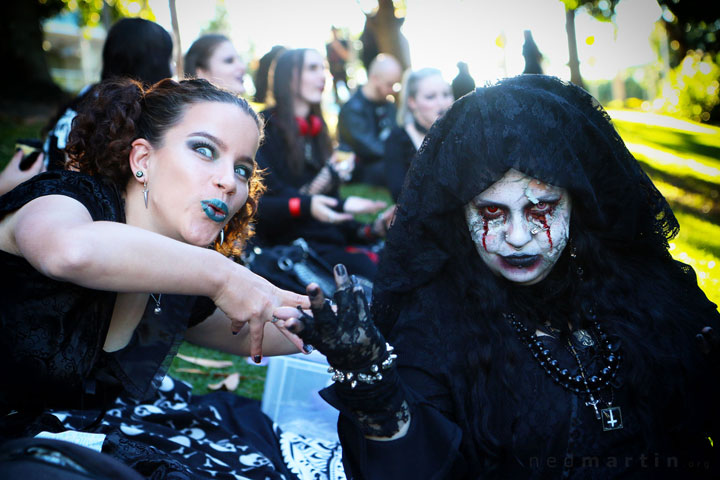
{"x":291,"y":396}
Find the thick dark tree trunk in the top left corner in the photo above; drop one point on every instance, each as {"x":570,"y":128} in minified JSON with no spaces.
{"x":27,"y":76}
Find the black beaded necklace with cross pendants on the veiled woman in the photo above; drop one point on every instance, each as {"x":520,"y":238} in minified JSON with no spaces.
{"x":611,"y":416}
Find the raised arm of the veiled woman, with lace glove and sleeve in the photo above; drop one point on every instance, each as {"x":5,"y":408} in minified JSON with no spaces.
{"x":383,"y":417}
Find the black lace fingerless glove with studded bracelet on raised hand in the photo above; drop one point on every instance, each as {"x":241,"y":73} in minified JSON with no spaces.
{"x":362,"y":363}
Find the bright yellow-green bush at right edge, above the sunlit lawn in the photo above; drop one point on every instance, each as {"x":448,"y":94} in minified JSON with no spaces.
{"x":692,"y":87}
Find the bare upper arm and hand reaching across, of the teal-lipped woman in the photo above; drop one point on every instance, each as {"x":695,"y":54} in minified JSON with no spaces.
{"x":57,"y":235}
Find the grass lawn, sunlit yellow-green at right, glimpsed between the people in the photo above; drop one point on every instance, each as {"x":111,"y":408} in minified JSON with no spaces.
{"x":682,"y":158}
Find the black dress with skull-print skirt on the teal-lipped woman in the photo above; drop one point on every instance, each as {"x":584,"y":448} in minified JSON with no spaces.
{"x":56,"y":376}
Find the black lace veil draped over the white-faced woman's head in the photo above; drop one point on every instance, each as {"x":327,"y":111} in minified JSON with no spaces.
{"x":543,"y":127}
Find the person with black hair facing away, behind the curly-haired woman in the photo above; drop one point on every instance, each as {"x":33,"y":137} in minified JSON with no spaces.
{"x":134,"y":48}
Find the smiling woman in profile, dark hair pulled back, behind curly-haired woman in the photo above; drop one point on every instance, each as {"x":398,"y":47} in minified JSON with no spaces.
{"x":214,"y":58}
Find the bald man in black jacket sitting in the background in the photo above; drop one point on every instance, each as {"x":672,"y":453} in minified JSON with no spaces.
{"x":368,"y":116}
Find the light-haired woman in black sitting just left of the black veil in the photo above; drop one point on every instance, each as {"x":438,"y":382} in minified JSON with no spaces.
{"x":424,"y":98}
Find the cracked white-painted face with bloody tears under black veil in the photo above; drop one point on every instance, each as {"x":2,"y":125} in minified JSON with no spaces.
{"x":520,"y":226}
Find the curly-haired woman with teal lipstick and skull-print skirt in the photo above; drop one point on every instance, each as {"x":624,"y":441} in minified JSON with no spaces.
{"x":109,"y":265}
